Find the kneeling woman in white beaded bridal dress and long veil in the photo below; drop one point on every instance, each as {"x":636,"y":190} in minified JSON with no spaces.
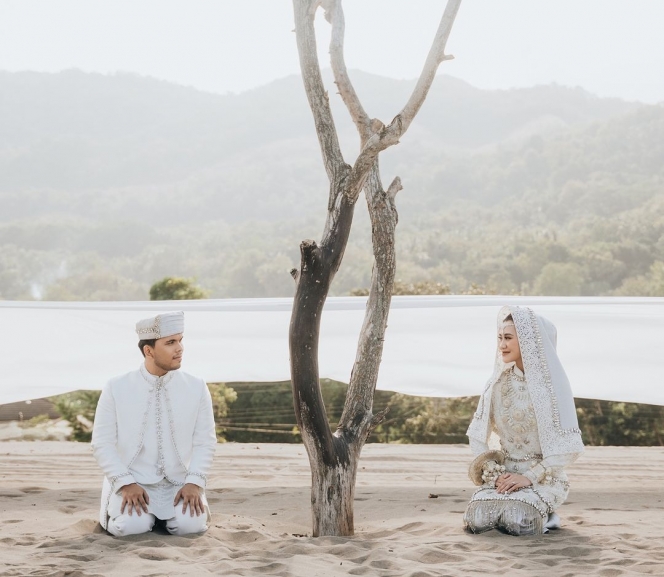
{"x":524,"y":432}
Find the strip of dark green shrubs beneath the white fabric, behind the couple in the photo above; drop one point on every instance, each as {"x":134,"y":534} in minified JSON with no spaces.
{"x":263,"y":413}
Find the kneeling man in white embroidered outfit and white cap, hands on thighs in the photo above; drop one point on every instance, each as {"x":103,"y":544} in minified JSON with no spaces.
{"x":154,"y":438}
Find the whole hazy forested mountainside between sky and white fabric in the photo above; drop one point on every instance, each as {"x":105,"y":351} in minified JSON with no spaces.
{"x":108,"y":183}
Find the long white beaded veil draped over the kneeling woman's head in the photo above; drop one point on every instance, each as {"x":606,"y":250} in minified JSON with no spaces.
{"x":549,"y":388}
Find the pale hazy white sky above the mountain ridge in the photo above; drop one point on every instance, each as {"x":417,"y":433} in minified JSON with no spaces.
{"x":608,"y":47}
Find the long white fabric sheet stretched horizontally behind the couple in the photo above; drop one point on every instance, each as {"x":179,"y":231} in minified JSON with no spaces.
{"x":612,"y":348}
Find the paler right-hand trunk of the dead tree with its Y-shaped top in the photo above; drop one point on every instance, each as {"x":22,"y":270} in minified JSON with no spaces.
{"x":356,"y":420}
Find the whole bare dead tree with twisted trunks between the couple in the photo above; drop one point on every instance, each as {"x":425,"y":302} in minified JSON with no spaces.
{"x":334,"y":456}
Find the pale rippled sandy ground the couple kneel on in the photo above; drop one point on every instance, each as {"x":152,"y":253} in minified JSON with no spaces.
{"x":612,"y":523}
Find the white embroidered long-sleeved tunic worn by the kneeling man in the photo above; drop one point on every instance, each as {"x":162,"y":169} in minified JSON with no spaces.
{"x":154,"y":431}
